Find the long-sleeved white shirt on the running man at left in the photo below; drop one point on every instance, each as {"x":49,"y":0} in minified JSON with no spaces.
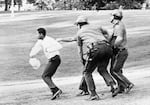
{"x":49,"y":46}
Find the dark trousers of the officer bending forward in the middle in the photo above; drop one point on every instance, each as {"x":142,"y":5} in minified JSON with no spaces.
{"x":100,"y":59}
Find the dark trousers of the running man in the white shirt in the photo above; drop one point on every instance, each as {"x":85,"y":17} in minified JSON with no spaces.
{"x":50,"y":71}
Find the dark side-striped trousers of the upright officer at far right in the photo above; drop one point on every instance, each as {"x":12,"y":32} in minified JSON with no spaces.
{"x":117,"y":64}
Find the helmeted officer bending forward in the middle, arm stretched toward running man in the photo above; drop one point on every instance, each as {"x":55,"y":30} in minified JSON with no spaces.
{"x":93,"y":45}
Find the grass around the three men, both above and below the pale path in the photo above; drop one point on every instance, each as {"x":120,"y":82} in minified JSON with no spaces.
{"x":18,"y":35}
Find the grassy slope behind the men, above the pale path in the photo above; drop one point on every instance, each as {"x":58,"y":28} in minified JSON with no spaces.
{"x":17,"y":38}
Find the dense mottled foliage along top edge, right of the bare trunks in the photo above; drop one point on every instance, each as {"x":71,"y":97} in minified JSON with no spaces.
{"x":99,"y":4}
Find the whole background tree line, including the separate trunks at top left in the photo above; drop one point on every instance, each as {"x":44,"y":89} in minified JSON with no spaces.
{"x":83,"y":4}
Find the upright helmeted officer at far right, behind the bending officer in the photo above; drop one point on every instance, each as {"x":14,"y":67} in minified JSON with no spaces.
{"x":118,"y":41}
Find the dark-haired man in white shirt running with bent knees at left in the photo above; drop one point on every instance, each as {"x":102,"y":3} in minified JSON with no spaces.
{"x":51,"y":49}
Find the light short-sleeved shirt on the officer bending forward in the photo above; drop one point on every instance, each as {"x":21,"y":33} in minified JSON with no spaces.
{"x":89,"y":34}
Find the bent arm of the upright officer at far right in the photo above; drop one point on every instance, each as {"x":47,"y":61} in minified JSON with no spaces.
{"x":120,"y":36}
